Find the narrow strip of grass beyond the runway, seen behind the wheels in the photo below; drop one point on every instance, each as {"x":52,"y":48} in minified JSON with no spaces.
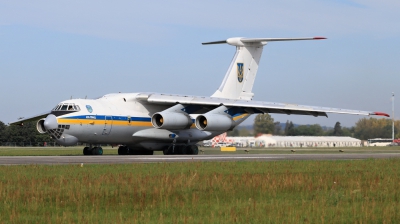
{"x":77,"y":151}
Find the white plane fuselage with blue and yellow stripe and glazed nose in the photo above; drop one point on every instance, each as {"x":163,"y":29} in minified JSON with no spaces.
{"x":115,"y":118}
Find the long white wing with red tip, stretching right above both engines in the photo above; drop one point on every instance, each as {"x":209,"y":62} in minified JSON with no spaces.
{"x":250,"y":106}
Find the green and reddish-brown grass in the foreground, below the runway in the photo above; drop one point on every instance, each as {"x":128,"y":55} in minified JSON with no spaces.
{"x":362,"y":191}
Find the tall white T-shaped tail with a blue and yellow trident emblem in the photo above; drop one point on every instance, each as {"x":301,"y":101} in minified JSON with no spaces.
{"x":239,"y":79}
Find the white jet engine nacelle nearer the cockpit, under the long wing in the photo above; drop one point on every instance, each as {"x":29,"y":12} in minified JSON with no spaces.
{"x":171,"y":120}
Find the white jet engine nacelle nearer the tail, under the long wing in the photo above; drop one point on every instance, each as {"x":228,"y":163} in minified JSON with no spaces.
{"x":214,"y":122}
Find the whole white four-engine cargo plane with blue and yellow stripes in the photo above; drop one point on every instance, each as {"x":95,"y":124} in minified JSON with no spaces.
{"x":141,"y":123}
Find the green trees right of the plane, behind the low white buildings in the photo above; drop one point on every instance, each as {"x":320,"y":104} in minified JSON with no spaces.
{"x":365,"y":128}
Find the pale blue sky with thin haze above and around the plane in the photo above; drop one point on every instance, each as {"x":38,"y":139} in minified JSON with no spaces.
{"x":51,"y":51}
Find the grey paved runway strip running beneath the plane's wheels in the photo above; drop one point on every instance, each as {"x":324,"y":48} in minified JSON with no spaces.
{"x":115,"y":159}
